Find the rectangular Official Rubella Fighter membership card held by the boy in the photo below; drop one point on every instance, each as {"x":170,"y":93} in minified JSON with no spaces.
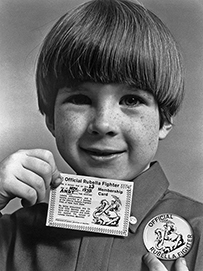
{"x":91,"y":204}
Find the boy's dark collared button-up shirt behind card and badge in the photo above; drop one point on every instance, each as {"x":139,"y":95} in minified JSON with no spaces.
{"x":27,"y":244}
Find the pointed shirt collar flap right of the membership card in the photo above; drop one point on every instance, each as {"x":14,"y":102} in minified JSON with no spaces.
{"x":149,"y":187}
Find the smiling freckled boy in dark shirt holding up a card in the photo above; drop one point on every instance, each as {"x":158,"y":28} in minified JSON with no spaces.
{"x":109,"y":81}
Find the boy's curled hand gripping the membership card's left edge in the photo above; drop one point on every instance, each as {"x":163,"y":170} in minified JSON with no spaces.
{"x":27,"y":174}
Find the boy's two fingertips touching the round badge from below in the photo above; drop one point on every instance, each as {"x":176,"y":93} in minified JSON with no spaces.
{"x":155,"y":265}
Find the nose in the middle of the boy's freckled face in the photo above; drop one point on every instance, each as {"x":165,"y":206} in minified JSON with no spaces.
{"x":103,"y":122}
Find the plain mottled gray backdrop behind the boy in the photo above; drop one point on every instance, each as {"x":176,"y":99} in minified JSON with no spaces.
{"x":23,"y":25}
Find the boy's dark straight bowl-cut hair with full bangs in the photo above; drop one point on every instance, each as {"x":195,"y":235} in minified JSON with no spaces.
{"x":111,"y":41}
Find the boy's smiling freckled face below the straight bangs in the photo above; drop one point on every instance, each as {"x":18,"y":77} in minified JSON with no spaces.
{"x":110,"y":131}
